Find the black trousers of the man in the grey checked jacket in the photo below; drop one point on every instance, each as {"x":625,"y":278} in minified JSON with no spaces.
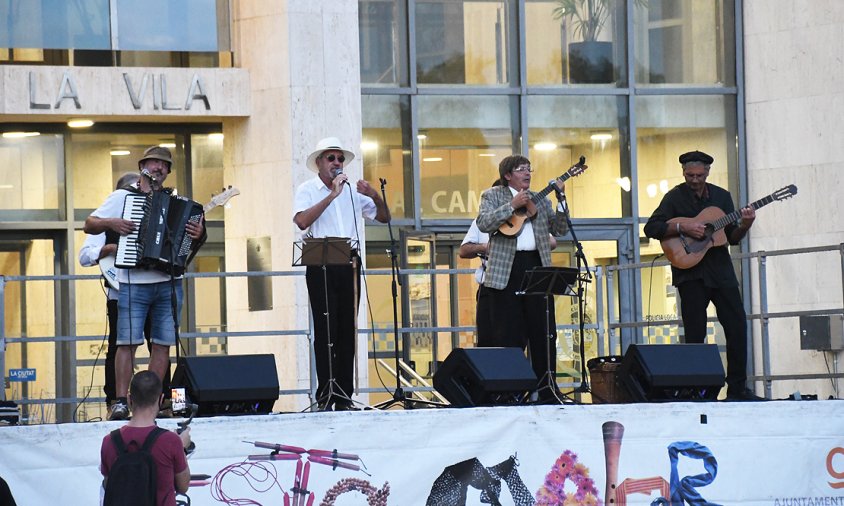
{"x":519,"y":321}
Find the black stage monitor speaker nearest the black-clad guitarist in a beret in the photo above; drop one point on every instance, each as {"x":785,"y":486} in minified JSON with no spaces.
{"x":672,"y":372}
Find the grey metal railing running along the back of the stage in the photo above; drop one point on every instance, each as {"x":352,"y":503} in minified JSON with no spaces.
{"x":607,"y":325}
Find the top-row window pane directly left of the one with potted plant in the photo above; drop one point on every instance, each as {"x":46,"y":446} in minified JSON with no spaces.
{"x":462,"y":42}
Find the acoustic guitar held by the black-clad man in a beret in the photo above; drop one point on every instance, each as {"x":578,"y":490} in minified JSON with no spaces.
{"x":685,"y":252}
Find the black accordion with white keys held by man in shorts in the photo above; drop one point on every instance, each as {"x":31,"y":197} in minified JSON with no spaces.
{"x":159,"y":240}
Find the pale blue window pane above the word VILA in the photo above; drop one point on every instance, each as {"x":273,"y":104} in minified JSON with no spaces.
{"x":164,"y":25}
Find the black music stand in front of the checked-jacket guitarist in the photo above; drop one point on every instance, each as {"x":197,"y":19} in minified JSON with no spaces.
{"x":549,"y":281}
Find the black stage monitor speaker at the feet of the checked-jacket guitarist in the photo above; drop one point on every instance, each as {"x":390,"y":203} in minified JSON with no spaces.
{"x":471,"y":377}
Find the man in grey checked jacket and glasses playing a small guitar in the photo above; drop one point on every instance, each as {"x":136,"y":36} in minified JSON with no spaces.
{"x":522,"y":320}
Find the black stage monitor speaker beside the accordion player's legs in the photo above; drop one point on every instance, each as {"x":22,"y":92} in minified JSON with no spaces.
{"x":229,"y":384}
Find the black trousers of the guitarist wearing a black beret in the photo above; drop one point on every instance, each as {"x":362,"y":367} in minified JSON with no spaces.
{"x":694,"y":299}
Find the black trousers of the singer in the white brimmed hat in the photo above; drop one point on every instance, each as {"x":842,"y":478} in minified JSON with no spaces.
{"x":337,"y":321}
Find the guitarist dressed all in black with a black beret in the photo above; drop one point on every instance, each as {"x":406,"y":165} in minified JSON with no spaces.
{"x":713,"y":279}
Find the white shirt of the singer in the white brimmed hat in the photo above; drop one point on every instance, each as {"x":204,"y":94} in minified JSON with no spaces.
{"x":340,"y":218}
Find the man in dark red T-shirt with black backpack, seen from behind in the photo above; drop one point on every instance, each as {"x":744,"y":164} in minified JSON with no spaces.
{"x":140,"y":462}
